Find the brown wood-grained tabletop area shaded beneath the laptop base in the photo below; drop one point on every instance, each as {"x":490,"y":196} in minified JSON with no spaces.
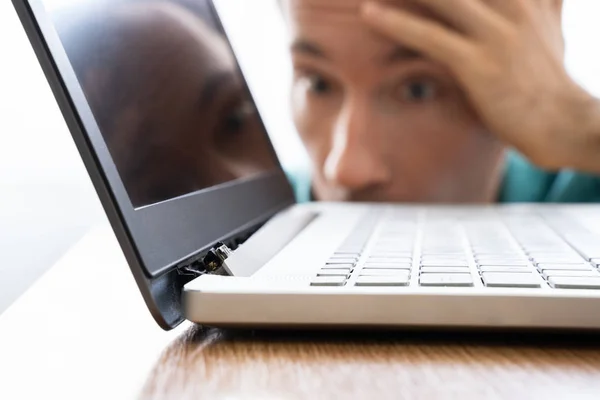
{"x":227,"y":364}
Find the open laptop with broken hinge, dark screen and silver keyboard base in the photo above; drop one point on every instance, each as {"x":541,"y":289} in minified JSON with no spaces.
{"x":207,"y":218}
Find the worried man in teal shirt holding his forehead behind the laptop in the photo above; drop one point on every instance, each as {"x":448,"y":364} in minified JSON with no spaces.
{"x":424,"y":100}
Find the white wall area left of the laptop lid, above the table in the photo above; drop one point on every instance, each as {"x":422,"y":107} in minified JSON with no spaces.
{"x":46,"y":199}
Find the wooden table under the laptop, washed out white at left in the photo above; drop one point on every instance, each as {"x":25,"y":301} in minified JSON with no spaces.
{"x":83,"y":332}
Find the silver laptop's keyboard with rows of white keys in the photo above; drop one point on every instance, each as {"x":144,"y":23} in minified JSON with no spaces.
{"x":492,"y":248}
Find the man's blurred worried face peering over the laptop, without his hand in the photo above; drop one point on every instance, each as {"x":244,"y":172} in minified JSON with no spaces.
{"x":380,"y":122}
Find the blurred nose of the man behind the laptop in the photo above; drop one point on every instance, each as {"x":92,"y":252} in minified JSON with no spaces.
{"x":356,"y":160}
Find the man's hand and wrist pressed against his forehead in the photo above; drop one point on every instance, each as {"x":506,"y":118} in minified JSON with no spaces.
{"x":508,"y":55}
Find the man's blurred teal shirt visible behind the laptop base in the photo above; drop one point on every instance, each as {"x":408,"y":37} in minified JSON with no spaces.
{"x":522,"y":183}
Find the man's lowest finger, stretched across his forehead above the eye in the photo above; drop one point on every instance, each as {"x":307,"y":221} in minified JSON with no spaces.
{"x":418,"y":33}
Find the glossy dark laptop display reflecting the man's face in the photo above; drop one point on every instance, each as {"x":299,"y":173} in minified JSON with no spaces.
{"x":165,"y":91}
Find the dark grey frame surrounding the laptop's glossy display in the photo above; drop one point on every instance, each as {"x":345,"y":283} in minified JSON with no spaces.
{"x":158,"y":237}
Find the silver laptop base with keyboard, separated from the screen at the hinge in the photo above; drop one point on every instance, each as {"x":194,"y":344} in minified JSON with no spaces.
{"x":527,"y":266}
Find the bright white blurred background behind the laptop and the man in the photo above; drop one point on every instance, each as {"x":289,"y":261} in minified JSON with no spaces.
{"x":47,"y":202}
